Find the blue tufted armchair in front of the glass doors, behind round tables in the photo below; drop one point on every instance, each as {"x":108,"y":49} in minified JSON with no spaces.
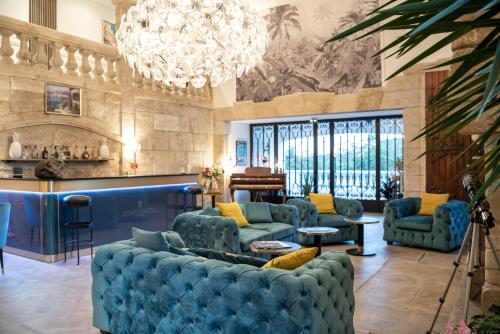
{"x":309,"y":217}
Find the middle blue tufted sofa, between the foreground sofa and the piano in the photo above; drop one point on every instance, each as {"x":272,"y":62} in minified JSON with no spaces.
{"x":223,"y":234}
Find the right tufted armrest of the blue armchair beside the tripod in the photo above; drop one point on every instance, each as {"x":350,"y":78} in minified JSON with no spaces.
{"x":450,"y":222}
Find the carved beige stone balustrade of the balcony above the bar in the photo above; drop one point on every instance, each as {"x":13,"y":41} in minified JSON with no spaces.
{"x":64,"y":58}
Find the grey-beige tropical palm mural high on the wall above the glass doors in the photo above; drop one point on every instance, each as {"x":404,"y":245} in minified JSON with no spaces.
{"x":297,"y":60}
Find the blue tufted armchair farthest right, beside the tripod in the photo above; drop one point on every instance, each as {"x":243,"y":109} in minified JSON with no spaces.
{"x":443,"y":231}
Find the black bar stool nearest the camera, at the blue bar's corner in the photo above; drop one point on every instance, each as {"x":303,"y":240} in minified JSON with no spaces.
{"x":76,"y":202}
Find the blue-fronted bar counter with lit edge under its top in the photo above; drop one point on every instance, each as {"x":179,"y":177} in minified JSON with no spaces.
{"x":119,"y":203}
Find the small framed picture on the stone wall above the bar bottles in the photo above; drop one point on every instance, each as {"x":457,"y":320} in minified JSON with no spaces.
{"x":62,"y":100}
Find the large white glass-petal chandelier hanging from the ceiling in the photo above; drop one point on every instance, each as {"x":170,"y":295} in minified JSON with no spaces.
{"x":192,"y":41}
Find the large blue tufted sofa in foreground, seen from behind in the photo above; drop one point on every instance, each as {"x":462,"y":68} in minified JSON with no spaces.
{"x":136,"y":290}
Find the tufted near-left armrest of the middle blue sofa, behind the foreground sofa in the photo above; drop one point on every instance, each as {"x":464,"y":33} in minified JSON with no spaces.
{"x":213,"y":232}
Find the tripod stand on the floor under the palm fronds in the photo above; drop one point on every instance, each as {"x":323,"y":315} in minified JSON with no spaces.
{"x":481,"y":222}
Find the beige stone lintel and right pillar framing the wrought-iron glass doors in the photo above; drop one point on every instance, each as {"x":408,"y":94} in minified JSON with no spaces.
{"x":405,"y":92}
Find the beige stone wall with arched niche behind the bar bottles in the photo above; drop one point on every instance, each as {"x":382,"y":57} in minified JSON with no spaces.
{"x":22,"y":109}
